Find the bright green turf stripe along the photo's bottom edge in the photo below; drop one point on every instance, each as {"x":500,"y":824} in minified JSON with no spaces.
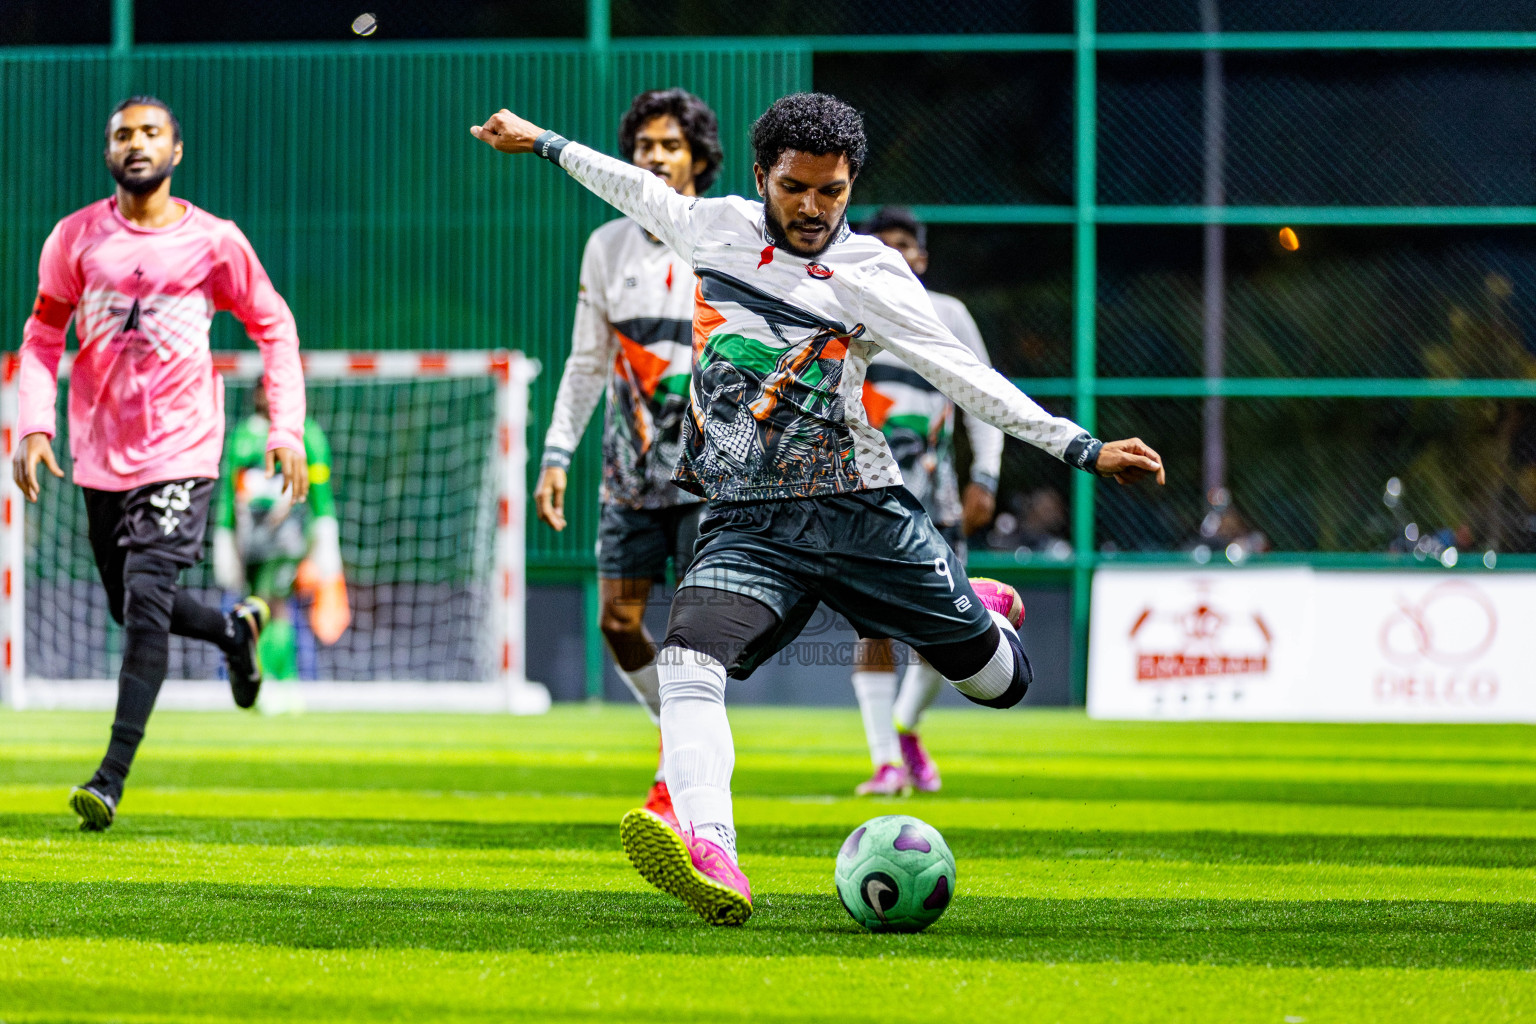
{"x":114,"y":980}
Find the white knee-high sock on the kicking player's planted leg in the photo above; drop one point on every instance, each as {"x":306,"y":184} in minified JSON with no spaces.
{"x":698,"y":748}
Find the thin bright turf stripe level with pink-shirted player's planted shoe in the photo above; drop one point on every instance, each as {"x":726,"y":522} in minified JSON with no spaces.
{"x":1150,"y":816}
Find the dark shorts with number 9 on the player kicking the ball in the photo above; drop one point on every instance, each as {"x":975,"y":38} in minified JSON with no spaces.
{"x":872,"y":557}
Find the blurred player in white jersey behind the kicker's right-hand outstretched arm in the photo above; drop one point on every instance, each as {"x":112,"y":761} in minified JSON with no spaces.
{"x":919,"y":428}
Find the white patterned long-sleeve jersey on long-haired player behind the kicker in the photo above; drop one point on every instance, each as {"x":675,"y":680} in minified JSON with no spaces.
{"x":634,"y":340}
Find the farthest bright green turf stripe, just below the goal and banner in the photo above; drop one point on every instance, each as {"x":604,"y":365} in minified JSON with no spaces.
{"x":793,"y":732}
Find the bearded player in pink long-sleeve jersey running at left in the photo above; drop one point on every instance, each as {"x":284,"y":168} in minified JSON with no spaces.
{"x":142,"y":276}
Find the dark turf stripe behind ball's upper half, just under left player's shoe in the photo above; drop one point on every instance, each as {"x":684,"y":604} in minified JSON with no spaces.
{"x":816,"y":841}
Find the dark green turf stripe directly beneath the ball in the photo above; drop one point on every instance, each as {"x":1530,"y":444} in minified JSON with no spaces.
{"x":1276,"y":934}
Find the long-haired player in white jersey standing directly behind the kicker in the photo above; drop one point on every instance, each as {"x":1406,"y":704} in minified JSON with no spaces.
{"x":635,"y":337}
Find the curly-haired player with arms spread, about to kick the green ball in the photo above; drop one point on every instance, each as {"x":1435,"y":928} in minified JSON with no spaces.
{"x":807,"y":503}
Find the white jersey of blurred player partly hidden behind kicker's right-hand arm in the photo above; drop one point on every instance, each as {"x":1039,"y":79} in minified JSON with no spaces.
{"x":918,"y":423}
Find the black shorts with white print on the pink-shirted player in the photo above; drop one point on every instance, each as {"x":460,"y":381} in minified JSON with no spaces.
{"x":168,"y":518}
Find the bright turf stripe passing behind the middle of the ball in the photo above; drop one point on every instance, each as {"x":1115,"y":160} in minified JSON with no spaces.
{"x":545,"y":870}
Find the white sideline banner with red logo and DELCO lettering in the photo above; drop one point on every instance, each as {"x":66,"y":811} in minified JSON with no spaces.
{"x":1305,"y":646}
